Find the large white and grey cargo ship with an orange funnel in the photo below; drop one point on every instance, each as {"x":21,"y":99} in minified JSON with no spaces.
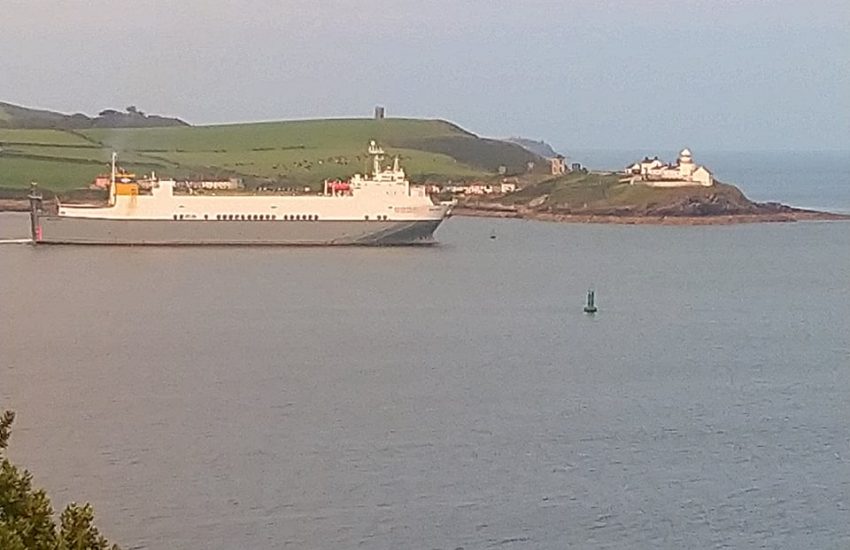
{"x":382,"y":208}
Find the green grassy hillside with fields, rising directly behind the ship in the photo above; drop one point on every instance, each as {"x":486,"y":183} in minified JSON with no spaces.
{"x":287,"y":153}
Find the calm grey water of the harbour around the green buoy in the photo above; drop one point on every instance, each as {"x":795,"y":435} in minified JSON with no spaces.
{"x":445,"y":397}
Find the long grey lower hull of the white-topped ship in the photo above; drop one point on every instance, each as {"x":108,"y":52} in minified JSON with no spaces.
{"x":65,"y":230}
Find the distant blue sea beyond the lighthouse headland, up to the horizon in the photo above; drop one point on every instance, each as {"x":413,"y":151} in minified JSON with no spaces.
{"x":819,"y":180}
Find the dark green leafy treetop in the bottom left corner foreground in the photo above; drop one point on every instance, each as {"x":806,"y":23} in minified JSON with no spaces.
{"x":26,"y":516}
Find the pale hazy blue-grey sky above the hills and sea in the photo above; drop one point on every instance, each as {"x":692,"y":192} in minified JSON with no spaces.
{"x":718,"y":75}
